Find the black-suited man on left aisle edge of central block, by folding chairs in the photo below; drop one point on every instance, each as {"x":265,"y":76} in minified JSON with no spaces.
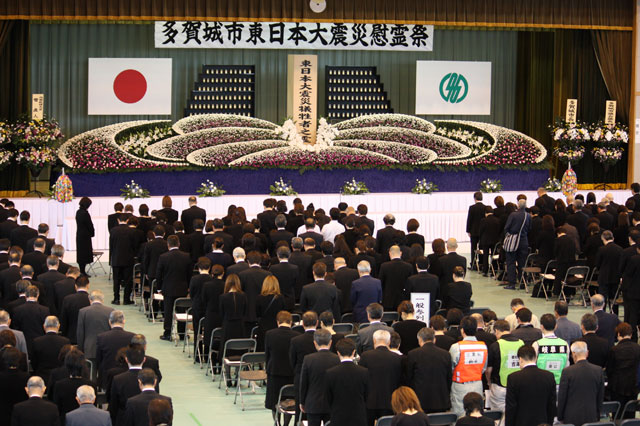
{"x":173,"y":276}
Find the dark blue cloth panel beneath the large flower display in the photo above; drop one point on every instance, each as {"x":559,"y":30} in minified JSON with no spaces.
{"x":248,"y":182}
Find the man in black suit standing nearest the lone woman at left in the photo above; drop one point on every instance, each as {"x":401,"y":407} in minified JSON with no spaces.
{"x":121,"y":241}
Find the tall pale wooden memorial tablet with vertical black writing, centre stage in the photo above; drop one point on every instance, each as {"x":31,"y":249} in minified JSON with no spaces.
{"x":302,"y":94}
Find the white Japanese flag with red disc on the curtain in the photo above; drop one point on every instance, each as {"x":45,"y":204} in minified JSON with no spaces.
{"x":129,"y":86}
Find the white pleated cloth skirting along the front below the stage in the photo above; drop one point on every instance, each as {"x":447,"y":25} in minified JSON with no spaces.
{"x":441,"y":214}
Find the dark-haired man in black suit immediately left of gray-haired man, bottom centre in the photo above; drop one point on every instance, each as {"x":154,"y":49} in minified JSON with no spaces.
{"x":348,"y":388}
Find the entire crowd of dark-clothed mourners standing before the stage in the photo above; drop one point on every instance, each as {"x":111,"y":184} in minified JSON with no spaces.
{"x":250,"y":277}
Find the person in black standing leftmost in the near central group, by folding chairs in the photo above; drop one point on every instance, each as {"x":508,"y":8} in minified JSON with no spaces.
{"x":277,"y":344}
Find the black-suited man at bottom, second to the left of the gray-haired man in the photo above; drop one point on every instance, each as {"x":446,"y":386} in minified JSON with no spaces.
{"x":313,"y":398}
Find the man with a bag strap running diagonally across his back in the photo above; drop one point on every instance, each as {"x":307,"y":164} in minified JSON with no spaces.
{"x":518,"y":224}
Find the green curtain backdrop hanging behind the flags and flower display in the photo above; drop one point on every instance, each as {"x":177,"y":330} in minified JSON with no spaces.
{"x":60,"y":52}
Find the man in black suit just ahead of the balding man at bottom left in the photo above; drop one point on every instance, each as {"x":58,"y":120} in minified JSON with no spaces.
{"x":45,"y":349}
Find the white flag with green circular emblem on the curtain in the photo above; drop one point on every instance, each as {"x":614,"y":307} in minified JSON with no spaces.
{"x":453,"y":87}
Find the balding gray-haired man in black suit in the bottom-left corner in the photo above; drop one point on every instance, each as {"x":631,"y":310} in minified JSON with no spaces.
{"x":35,"y":410}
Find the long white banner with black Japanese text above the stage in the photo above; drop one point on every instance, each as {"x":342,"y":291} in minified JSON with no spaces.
{"x":293,"y":35}
